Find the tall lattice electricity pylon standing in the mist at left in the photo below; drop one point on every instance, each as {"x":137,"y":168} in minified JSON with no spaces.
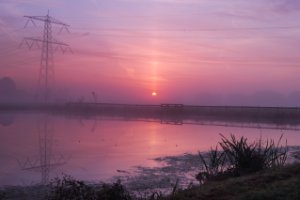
{"x":47,"y":42}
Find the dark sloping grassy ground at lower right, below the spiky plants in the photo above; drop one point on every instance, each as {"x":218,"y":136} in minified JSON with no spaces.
{"x":278,"y":184}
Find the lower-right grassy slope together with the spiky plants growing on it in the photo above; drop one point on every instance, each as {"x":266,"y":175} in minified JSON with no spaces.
{"x":247,"y":171}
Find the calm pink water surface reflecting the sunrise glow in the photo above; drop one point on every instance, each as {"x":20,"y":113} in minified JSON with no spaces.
{"x":35,"y":148}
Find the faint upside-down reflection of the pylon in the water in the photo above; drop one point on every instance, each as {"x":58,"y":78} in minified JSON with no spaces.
{"x":46,"y":161}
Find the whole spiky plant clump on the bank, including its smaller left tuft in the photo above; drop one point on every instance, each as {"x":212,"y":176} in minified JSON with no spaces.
{"x":239,"y":157}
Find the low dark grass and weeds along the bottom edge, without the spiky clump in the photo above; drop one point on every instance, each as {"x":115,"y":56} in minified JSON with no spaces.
{"x":282,"y":183}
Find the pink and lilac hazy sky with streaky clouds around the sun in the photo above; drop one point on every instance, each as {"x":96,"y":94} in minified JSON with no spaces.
{"x":201,"y":52}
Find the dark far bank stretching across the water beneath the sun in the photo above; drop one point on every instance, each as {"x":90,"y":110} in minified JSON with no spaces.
{"x":176,"y":114}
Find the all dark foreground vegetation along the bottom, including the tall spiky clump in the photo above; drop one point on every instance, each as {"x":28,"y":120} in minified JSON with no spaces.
{"x":240,"y":170}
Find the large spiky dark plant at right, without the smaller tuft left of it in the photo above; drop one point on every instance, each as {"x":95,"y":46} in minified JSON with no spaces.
{"x":247,"y":158}
